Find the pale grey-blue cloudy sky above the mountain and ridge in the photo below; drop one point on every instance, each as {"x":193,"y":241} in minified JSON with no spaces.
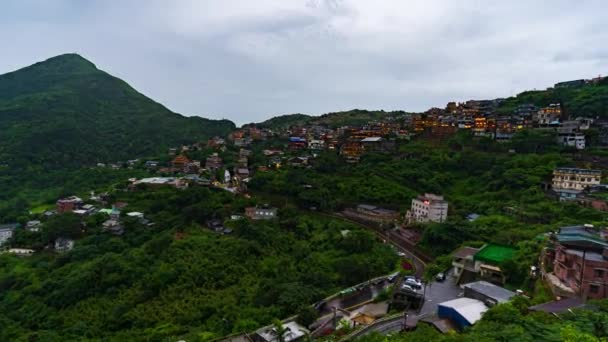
{"x":248,"y":60}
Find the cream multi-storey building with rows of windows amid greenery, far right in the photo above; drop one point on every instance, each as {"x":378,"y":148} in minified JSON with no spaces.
{"x":568,"y":182}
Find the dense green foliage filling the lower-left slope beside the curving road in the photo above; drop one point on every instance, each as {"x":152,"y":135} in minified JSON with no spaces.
{"x":178,"y":278}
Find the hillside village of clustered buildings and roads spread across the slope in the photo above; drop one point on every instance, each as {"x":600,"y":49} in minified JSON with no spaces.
{"x":572,"y":263}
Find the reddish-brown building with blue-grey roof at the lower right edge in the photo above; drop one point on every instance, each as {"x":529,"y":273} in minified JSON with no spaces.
{"x":581,"y":261}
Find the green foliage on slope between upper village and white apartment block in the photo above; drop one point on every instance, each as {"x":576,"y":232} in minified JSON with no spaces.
{"x":475,"y":176}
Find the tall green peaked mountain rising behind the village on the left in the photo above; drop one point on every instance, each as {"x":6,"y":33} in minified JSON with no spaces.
{"x":66,"y":112}
